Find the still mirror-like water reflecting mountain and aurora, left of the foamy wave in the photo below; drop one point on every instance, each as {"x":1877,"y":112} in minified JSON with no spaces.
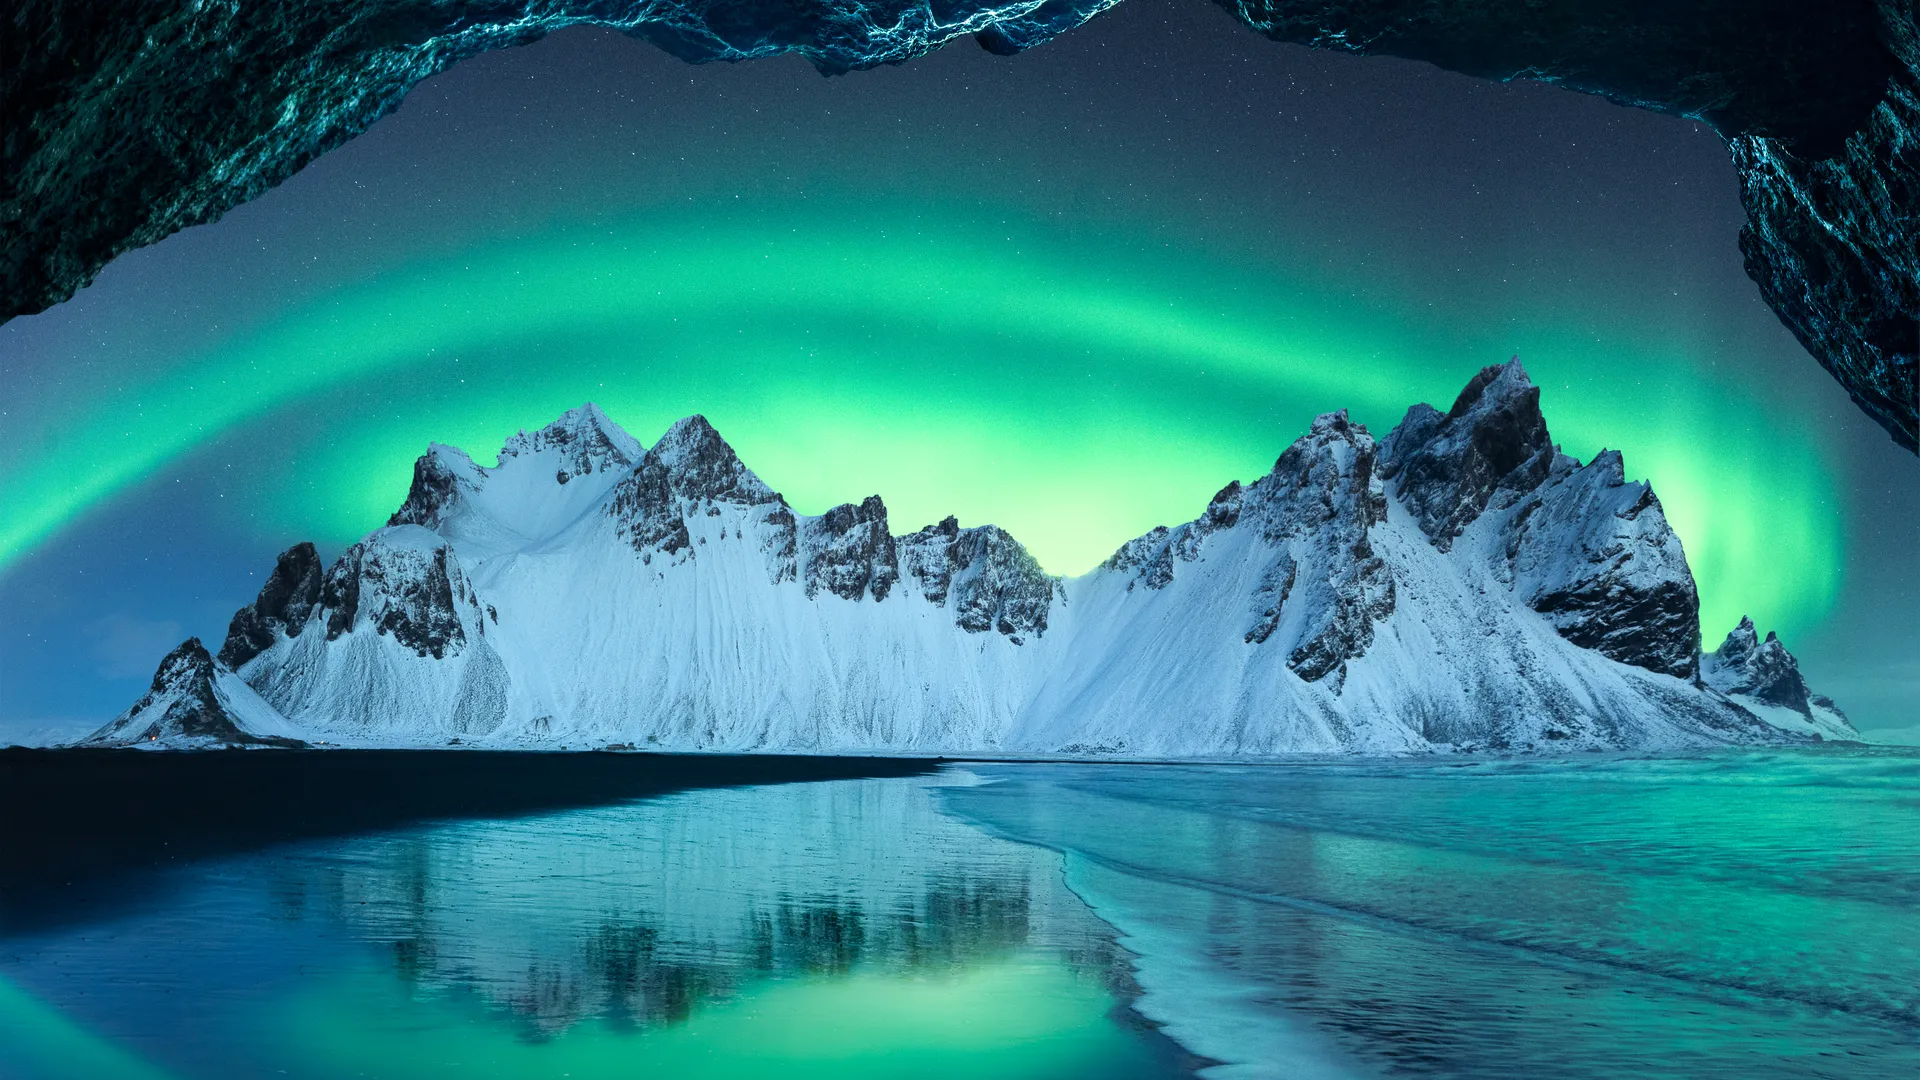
{"x":844,"y":927}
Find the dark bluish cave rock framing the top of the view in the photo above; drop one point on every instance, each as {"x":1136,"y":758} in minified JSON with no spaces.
{"x":128,"y":120}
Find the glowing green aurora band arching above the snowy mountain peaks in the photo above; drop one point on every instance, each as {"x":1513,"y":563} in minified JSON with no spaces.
{"x":1072,"y":389}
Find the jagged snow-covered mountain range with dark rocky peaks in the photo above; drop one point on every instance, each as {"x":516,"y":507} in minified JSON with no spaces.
{"x":1458,"y":585}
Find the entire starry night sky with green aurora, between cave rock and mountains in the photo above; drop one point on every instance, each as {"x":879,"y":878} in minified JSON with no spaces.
{"x":1070,"y":293}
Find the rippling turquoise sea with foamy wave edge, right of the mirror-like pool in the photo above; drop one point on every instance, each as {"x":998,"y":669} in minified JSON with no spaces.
{"x":1735,"y":916}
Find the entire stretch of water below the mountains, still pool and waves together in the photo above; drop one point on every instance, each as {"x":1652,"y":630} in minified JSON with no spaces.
{"x":1739,"y":916}
